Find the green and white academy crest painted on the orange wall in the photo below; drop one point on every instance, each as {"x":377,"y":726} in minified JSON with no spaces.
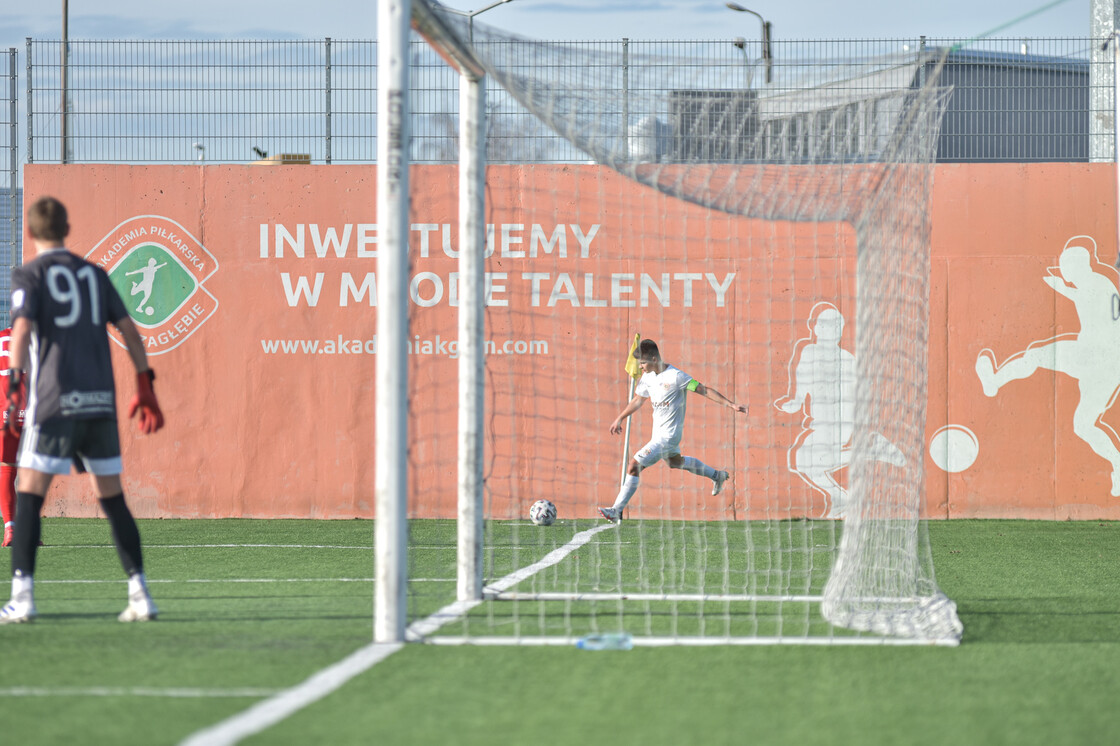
{"x":158,"y":268}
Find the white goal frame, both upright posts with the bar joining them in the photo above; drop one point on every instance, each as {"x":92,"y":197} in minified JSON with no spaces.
{"x":395,"y":21}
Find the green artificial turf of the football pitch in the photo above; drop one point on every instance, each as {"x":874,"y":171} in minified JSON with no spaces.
{"x":240,"y":620}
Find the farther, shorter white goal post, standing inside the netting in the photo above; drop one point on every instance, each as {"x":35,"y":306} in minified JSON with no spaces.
{"x":472,"y":353}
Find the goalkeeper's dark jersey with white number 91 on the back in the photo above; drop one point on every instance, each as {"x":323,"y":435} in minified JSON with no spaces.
{"x":69,"y":302}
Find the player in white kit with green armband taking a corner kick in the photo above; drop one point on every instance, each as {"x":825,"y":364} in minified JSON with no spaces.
{"x":666,"y":387}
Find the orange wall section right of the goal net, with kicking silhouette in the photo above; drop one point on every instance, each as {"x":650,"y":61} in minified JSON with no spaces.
{"x":997,"y":232}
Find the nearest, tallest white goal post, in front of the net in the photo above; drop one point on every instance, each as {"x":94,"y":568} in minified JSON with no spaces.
{"x":393,"y":374}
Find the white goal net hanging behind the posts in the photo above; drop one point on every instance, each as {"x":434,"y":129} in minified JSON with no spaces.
{"x":773,"y":240}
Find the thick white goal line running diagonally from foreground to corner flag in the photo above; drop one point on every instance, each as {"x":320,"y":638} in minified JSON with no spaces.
{"x":279,"y":707}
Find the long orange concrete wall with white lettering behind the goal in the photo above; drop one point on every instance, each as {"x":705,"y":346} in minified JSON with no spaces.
{"x":259,"y":434}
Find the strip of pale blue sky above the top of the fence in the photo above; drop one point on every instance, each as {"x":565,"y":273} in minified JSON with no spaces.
{"x":550,"y":20}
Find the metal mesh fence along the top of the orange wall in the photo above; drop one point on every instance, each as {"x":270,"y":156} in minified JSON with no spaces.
{"x":316,"y":101}
